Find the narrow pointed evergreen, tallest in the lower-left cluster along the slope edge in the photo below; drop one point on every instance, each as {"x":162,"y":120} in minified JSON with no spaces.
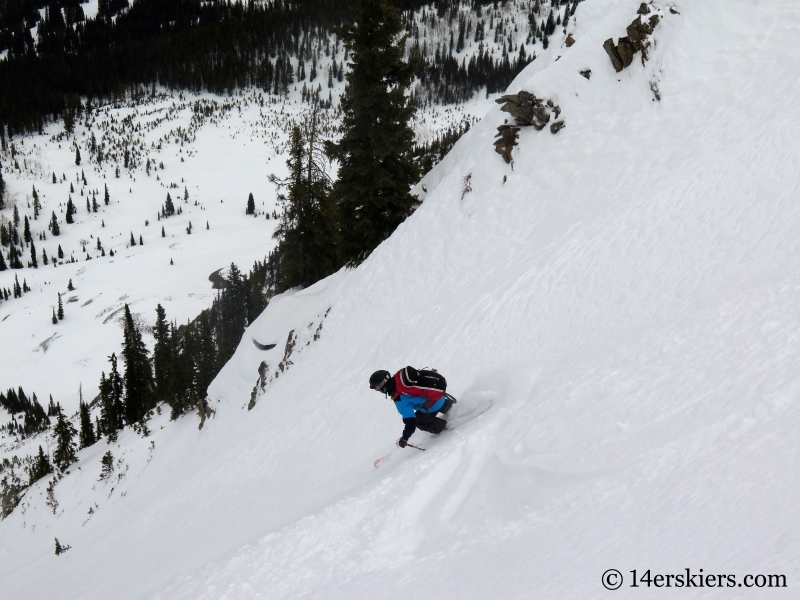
{"x":138,"y":376}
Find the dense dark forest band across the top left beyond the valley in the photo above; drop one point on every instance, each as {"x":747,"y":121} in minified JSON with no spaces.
{"x":213,"y":45}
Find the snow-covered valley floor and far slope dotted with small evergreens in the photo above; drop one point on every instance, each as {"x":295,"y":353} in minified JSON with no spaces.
{"x":213,"y":148}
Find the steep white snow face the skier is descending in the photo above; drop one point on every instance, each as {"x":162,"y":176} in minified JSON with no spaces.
{"x":627,"y":296}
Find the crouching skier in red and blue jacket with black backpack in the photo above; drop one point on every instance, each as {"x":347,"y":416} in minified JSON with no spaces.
{"x":418,"y":396}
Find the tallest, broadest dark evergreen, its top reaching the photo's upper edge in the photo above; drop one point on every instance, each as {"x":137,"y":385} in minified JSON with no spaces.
{"x":376,"y":166}
